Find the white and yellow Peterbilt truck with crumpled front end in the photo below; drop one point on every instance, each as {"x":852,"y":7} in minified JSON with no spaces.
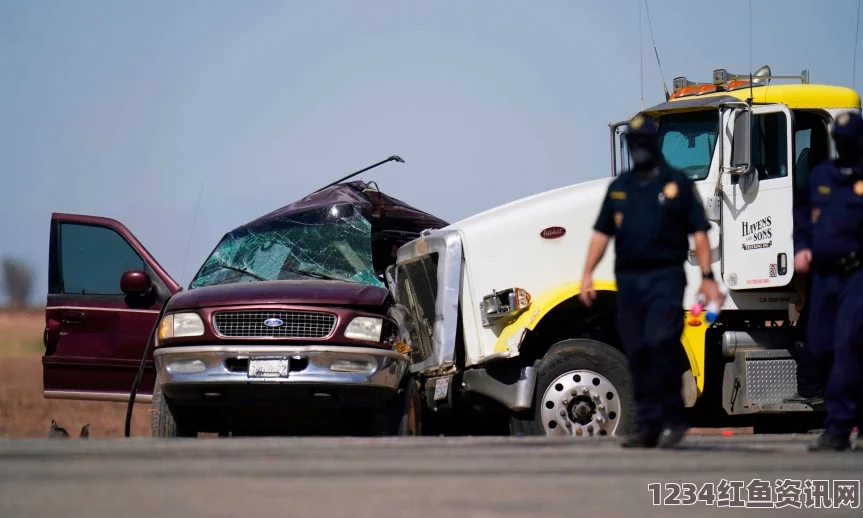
{"x":497,"y":325}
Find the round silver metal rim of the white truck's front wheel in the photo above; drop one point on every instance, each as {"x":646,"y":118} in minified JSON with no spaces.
{"x":580,"y":403}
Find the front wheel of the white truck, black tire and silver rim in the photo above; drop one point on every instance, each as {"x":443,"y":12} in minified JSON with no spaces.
{"x":586,"y":380}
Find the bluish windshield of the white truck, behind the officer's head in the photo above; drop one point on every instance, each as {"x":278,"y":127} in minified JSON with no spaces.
{"x":687,"y":141}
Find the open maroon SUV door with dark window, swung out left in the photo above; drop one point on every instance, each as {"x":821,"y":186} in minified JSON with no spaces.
{"x":95,"y":334}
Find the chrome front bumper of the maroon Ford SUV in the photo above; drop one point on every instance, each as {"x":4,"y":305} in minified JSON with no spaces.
{"x":313,"y":377}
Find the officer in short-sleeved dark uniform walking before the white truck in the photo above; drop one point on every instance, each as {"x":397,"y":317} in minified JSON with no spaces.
{"x":651,"y":211}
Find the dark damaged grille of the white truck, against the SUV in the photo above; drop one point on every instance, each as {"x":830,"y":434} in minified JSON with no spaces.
{"x":417,"y":290}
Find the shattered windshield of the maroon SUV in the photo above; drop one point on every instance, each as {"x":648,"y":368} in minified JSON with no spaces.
{"x":326,"y":243}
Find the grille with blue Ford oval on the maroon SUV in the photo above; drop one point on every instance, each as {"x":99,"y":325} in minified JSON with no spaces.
{"x":294,"y":324}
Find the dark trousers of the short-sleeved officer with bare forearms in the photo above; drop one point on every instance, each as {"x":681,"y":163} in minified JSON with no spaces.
{"x":650,"y":324}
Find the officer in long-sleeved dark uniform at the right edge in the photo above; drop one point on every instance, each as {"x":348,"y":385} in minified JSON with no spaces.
{"x":828,"y":242}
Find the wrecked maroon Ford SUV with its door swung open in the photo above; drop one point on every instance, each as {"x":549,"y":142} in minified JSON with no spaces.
{"x":287,"y":326}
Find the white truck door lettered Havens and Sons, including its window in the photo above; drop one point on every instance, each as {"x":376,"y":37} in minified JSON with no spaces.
{"x":757,"y":212}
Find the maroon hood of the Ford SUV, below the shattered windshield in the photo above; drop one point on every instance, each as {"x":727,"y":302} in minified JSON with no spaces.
{"x":306,"y":292}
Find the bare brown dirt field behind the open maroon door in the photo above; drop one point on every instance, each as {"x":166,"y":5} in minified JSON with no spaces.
{"x":23,"y":410}
